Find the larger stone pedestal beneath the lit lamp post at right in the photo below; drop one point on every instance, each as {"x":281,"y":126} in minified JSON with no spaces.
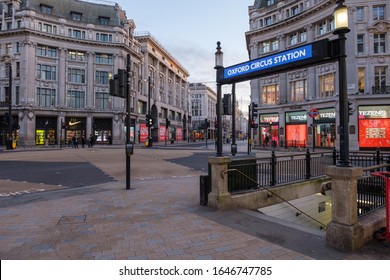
{"x":344,"y":232}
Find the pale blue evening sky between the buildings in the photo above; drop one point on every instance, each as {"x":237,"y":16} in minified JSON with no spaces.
{"x":190,"y":29}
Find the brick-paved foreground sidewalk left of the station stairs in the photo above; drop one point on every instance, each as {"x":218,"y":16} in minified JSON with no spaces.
{"x":155,"y":220}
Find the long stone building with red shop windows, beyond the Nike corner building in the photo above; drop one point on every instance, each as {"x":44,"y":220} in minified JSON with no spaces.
{"x":169,"y":93}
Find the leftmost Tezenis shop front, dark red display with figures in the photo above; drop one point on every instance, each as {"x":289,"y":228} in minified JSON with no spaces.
{"x":269,"y":130}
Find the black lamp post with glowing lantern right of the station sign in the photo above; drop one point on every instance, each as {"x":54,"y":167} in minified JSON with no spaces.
{"x":341,"y":28}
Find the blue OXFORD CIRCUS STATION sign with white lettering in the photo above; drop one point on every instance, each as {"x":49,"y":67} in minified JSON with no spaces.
{"x":275,"y":60}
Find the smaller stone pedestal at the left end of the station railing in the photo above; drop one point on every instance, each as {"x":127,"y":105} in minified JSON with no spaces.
{"x":219,"y":197}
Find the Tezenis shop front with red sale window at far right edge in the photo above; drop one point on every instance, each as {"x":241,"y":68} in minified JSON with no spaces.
{"x":374,"y":127}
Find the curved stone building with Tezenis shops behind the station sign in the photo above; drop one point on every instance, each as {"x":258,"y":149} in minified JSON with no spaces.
{"x":285,"y":99}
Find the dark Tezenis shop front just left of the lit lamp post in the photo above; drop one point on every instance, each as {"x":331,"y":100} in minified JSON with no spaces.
{"x":324,"y":127}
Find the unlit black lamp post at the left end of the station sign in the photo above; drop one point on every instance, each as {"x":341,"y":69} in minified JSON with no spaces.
{"x":219,"y":68}
